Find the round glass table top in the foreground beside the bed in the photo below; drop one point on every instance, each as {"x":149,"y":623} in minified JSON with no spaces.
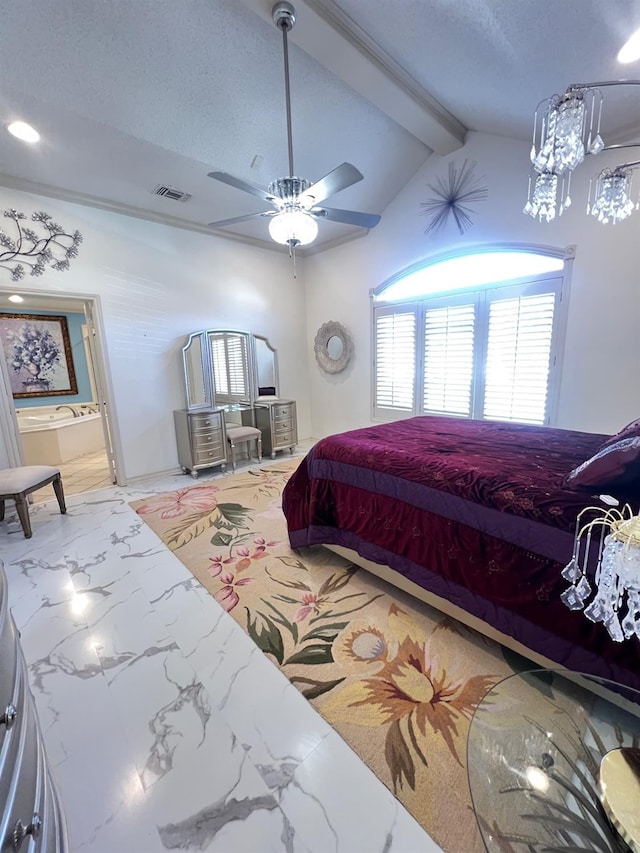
{"x":533,"y":759}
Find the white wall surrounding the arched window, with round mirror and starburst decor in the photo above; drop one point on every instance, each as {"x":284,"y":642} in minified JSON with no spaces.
{"x":600,"y":389}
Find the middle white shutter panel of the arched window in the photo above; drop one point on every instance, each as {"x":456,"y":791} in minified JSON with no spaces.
{"x":449,"y":334}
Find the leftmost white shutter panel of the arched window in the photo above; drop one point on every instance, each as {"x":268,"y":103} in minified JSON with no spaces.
{"x":395,"y":359}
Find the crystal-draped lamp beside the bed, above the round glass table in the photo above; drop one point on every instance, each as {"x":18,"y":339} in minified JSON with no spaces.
{"x":617,"y":573}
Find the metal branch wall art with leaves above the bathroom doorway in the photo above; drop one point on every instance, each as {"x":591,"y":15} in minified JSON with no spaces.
{"x":26,"y":250}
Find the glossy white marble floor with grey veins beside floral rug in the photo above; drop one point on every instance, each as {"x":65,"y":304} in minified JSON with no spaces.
{"x":165,"y":726}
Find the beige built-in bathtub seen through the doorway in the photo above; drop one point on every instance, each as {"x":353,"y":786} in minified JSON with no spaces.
{"x":50,"y":437}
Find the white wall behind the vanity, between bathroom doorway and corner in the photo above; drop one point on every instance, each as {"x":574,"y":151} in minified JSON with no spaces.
{"x":156,"y":284}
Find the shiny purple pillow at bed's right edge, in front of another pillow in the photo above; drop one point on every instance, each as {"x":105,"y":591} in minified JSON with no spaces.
{"x":615,"y":465}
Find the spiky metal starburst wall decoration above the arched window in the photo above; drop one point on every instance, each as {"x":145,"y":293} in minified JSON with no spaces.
{"x":452,"y":196}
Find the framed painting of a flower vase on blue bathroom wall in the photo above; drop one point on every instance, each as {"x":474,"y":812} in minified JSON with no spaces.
{"x":38,"y":355}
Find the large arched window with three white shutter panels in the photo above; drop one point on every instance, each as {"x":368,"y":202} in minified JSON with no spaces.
{"x":476,"y":335}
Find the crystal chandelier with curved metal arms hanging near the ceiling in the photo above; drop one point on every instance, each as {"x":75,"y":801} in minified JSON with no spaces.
{"x":566,"y":128}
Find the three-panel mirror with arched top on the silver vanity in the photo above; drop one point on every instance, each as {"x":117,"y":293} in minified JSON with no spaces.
{"x":224,"y":367}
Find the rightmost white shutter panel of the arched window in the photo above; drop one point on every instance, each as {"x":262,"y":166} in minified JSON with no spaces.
{"x":518,"y":358}
